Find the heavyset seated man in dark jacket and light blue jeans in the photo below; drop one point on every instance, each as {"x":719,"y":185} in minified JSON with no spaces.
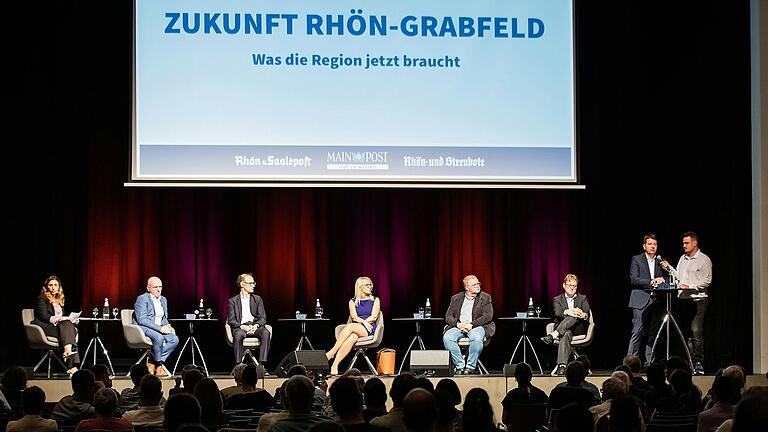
{"x":470,"y":314}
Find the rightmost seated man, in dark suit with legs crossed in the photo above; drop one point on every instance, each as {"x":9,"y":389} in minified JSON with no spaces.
{"x":571,"y":319}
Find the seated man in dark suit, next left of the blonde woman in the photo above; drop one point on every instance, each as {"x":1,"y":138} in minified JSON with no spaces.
{"x":246,"y":318}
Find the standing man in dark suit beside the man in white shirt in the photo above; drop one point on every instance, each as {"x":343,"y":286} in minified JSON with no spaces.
{"x":644,"y":272}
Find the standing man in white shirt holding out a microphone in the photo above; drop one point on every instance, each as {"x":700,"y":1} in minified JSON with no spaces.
{"x":694,"y":270}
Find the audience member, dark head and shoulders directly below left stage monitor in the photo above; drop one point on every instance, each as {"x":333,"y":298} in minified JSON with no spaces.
{"x":299,"y":394}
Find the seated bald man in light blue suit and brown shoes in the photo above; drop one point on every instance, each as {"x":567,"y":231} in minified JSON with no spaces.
{"x":151,"y":314}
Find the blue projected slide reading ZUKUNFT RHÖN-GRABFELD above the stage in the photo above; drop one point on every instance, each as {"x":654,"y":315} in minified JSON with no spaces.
{"x":441,"y":91}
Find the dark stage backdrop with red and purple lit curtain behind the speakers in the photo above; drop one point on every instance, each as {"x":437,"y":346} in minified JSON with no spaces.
{"x":664,"y":147}
